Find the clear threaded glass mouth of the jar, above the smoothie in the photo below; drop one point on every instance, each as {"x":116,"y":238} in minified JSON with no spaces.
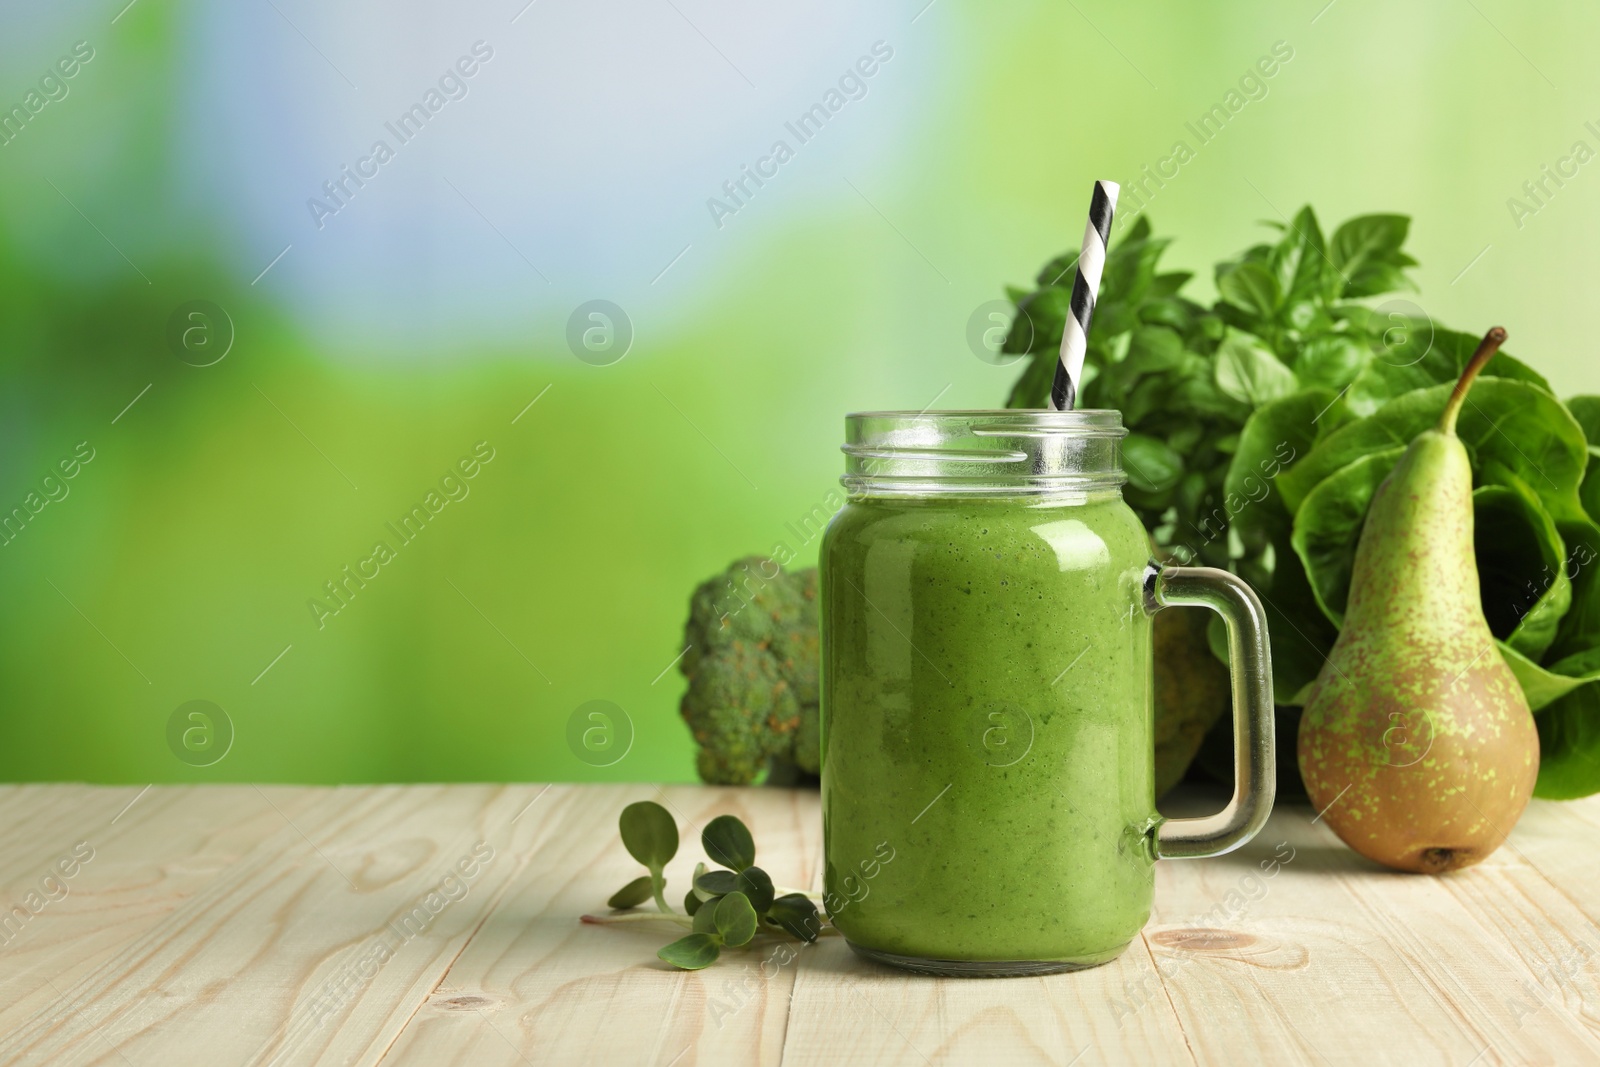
{"x":1004,"y":452}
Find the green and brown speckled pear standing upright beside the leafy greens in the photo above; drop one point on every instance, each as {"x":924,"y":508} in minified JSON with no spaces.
{"x":1417,"y":743}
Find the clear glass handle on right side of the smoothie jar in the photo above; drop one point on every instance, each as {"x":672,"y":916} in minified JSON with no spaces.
{"x":1250,"y":657}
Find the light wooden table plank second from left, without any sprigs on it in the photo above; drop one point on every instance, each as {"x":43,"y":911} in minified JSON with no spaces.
{"x":263,"y":962}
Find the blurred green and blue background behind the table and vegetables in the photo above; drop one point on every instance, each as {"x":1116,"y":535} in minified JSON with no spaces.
{"x":433,"y":308}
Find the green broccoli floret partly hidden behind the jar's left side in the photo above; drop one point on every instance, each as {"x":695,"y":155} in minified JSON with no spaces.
{"x":753,"y":668}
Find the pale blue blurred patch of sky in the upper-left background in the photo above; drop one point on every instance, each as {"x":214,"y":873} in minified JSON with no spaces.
{"x":575,"y":164}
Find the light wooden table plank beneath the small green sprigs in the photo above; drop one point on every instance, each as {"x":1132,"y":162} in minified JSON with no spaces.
{"x":535,"y":986}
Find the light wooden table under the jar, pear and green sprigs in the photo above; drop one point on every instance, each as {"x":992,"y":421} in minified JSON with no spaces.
{"x":439,"y":925}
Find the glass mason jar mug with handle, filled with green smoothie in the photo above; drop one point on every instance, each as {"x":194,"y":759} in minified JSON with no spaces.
{"x":988,"y":738}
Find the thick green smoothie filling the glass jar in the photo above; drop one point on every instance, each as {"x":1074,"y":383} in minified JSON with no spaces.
{"x":988,"y":727}
